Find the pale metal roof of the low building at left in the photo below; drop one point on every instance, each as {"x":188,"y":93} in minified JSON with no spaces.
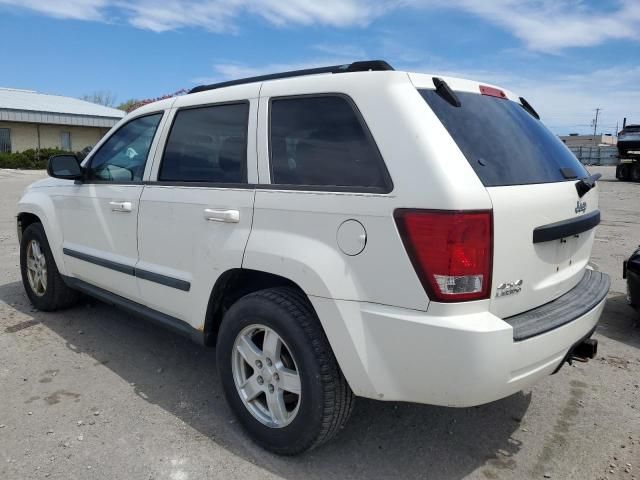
{"x":30,"y":106}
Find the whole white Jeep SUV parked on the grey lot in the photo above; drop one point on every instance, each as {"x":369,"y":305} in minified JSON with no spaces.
{"x":335,"y":232}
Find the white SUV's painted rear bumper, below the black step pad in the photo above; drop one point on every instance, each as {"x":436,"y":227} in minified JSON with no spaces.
{"x":389,"y":353}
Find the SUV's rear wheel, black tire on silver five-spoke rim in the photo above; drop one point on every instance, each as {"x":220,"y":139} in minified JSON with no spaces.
{"x":325,"y":401}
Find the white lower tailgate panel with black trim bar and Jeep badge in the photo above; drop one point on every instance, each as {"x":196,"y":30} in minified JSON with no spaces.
{"x":527,"y":274}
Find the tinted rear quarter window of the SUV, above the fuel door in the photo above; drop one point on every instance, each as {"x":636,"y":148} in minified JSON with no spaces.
{"x":321,"y":141}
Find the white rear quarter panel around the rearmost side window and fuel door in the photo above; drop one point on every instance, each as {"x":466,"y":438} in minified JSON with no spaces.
{"x":294,"y":232}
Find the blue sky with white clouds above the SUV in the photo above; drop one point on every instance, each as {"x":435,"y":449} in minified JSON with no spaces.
{"x":567,"y":57}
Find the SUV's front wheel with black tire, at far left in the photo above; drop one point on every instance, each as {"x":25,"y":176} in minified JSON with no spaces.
{"x":50,"y":293}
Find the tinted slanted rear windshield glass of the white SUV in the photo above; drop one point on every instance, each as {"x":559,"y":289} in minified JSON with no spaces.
{"x":503,"y":143}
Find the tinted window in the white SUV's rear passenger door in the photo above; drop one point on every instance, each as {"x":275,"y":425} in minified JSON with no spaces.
{"x":207,"y":144}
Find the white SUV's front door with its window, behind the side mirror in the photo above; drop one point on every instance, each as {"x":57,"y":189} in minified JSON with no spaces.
{"x":99,"y":216}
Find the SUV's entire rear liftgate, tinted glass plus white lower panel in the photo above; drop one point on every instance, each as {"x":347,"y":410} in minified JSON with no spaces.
{"x":531,"y":179}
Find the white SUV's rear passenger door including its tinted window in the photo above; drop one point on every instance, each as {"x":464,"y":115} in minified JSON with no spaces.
{"x":195,"y":217}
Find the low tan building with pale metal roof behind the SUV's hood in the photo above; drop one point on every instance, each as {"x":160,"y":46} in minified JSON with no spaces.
{"x":34,"y":120}
